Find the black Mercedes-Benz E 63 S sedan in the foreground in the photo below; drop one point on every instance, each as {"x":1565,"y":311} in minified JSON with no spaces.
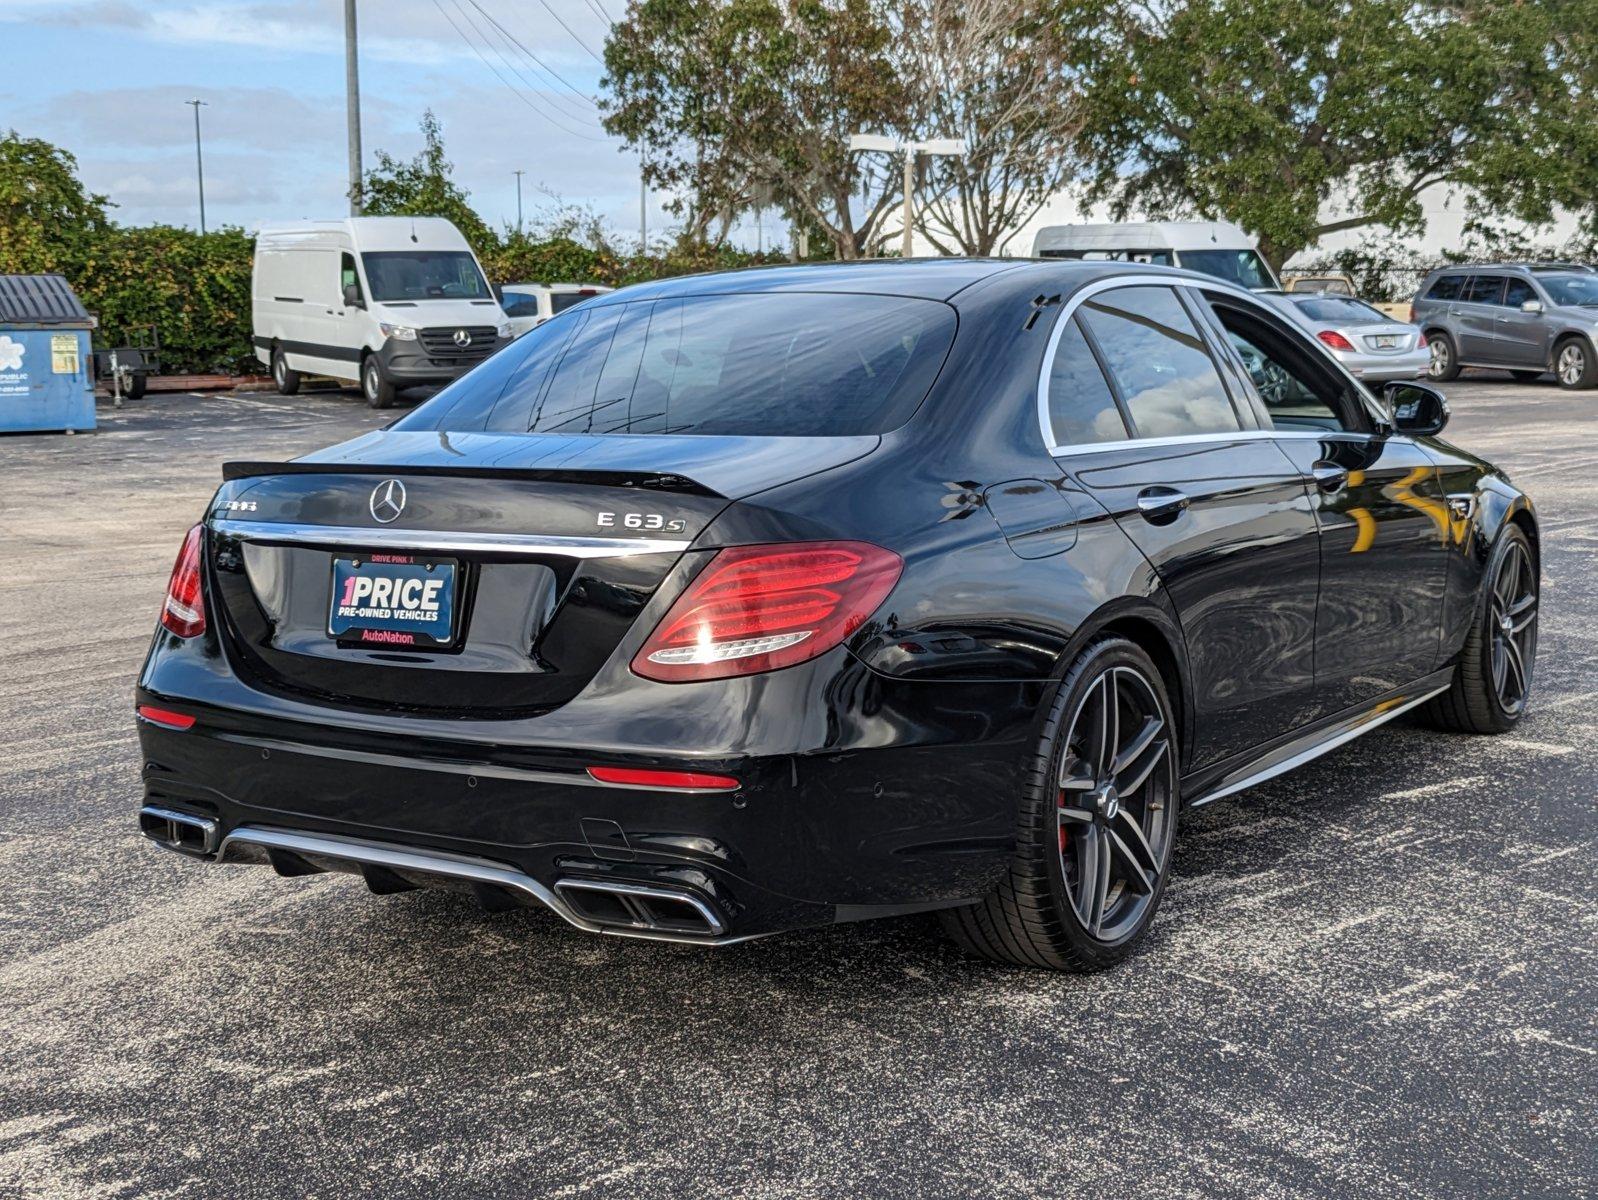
{"x":769,"y":600}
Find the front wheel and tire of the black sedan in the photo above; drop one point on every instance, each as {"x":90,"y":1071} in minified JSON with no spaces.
{"x":1477,"y":701}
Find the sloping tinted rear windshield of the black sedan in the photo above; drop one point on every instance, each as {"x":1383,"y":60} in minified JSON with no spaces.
{"x":797,"y":365}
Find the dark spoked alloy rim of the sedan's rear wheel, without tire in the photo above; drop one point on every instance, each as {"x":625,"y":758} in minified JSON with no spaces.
{"x":1118,"y":793}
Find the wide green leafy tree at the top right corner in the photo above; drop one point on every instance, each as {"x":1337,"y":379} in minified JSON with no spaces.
{"x":1271,"y":113}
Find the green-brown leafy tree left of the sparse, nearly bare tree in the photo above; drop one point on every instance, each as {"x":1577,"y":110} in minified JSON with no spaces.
{"x":729,"y":100}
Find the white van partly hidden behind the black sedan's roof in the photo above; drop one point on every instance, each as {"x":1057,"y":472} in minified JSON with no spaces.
{"x":1207,"y":247}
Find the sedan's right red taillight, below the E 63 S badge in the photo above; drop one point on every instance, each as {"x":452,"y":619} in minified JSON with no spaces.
{"x":763,"y":608}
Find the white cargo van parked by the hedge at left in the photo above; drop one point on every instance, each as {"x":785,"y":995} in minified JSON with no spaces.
{"x":388,"y":303}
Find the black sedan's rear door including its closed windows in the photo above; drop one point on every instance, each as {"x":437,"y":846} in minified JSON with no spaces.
{"x":1142,"y":418}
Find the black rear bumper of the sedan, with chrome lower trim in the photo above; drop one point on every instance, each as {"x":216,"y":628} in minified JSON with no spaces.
{"x":811,"y":840}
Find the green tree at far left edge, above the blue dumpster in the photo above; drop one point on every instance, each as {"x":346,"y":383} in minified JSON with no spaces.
{"x":46,"y":213}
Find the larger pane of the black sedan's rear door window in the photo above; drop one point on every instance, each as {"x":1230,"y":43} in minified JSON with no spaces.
{"x":1158,"y":360}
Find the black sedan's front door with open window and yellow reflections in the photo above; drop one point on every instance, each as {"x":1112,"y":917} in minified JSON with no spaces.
{"x":1380,"y":504}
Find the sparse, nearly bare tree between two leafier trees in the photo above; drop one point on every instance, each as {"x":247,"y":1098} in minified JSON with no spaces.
{"x":992,"y":74}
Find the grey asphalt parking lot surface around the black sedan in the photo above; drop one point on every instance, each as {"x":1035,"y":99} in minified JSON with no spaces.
{"x":1375,"y":977}
